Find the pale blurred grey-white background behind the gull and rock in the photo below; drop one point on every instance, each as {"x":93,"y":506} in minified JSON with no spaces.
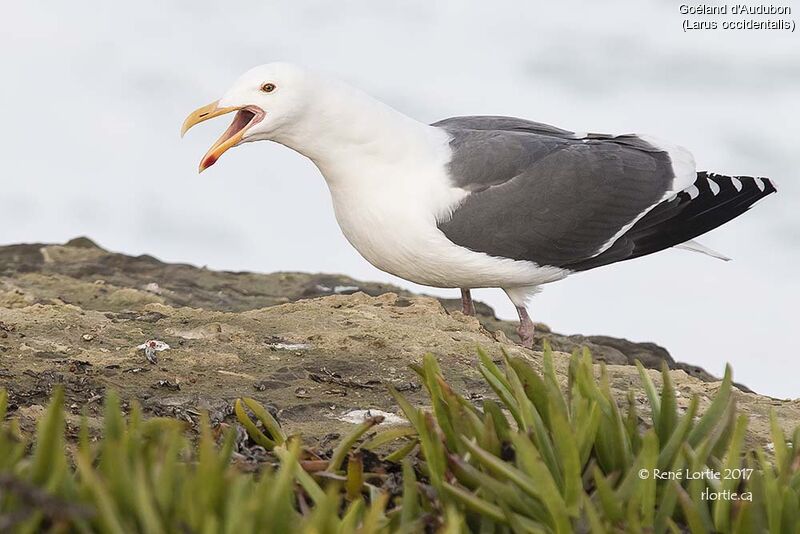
{"x":93,"y":96}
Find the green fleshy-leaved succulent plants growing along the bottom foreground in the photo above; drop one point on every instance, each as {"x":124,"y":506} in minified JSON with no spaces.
{"x":540,"y":457}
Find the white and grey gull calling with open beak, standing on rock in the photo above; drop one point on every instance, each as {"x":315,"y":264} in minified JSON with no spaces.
{"x":480,"y":201}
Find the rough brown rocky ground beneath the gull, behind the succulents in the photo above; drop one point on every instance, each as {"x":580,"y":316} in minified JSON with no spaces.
{"x":316,"y":348}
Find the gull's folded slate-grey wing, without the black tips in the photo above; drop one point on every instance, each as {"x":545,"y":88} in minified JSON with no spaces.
{"x":546,"y":195}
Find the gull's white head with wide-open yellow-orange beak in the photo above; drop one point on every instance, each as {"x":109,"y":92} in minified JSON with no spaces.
{"x":266,"y":100}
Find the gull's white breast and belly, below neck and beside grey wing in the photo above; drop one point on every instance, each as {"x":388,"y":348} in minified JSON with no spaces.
{"x":389,"y":213}
